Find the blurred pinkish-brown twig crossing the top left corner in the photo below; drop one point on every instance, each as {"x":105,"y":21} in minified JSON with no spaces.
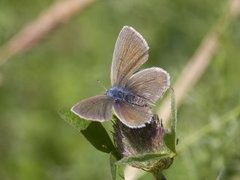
{"x":32,"y":33}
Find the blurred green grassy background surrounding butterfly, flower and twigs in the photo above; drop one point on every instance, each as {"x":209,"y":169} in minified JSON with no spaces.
{"x":35,"y":143}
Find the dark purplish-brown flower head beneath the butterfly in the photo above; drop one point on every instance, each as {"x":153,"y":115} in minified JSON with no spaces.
{"x":141,"y":141}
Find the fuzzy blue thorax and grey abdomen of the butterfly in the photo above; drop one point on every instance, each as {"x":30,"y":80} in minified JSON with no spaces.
{"x":119,"y":94}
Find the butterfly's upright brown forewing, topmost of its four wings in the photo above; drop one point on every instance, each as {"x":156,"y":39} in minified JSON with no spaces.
{"x":130,"y":52}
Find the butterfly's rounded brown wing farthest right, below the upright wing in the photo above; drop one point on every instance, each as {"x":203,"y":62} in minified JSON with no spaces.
{"x":149,"y":83}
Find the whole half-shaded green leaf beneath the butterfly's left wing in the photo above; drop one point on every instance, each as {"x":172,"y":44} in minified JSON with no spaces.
{"x":94,"y":132}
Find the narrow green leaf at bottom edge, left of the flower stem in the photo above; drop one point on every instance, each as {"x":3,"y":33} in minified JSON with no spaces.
{"x":116,"y":170}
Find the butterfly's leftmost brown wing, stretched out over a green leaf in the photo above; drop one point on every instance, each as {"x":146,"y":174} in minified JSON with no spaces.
{"x":97,"y":108}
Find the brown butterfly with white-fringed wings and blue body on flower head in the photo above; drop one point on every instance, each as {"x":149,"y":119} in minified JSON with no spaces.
{"x":131,"y":95}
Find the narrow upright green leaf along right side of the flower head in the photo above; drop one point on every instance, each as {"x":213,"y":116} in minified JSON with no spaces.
{"x":170,"y":137}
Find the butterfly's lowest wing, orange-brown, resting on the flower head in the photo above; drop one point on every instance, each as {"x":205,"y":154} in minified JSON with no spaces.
{"x":132,"y":115}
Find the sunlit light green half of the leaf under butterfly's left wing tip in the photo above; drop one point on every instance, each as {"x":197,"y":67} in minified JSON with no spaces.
{"x":73,"y":120}
